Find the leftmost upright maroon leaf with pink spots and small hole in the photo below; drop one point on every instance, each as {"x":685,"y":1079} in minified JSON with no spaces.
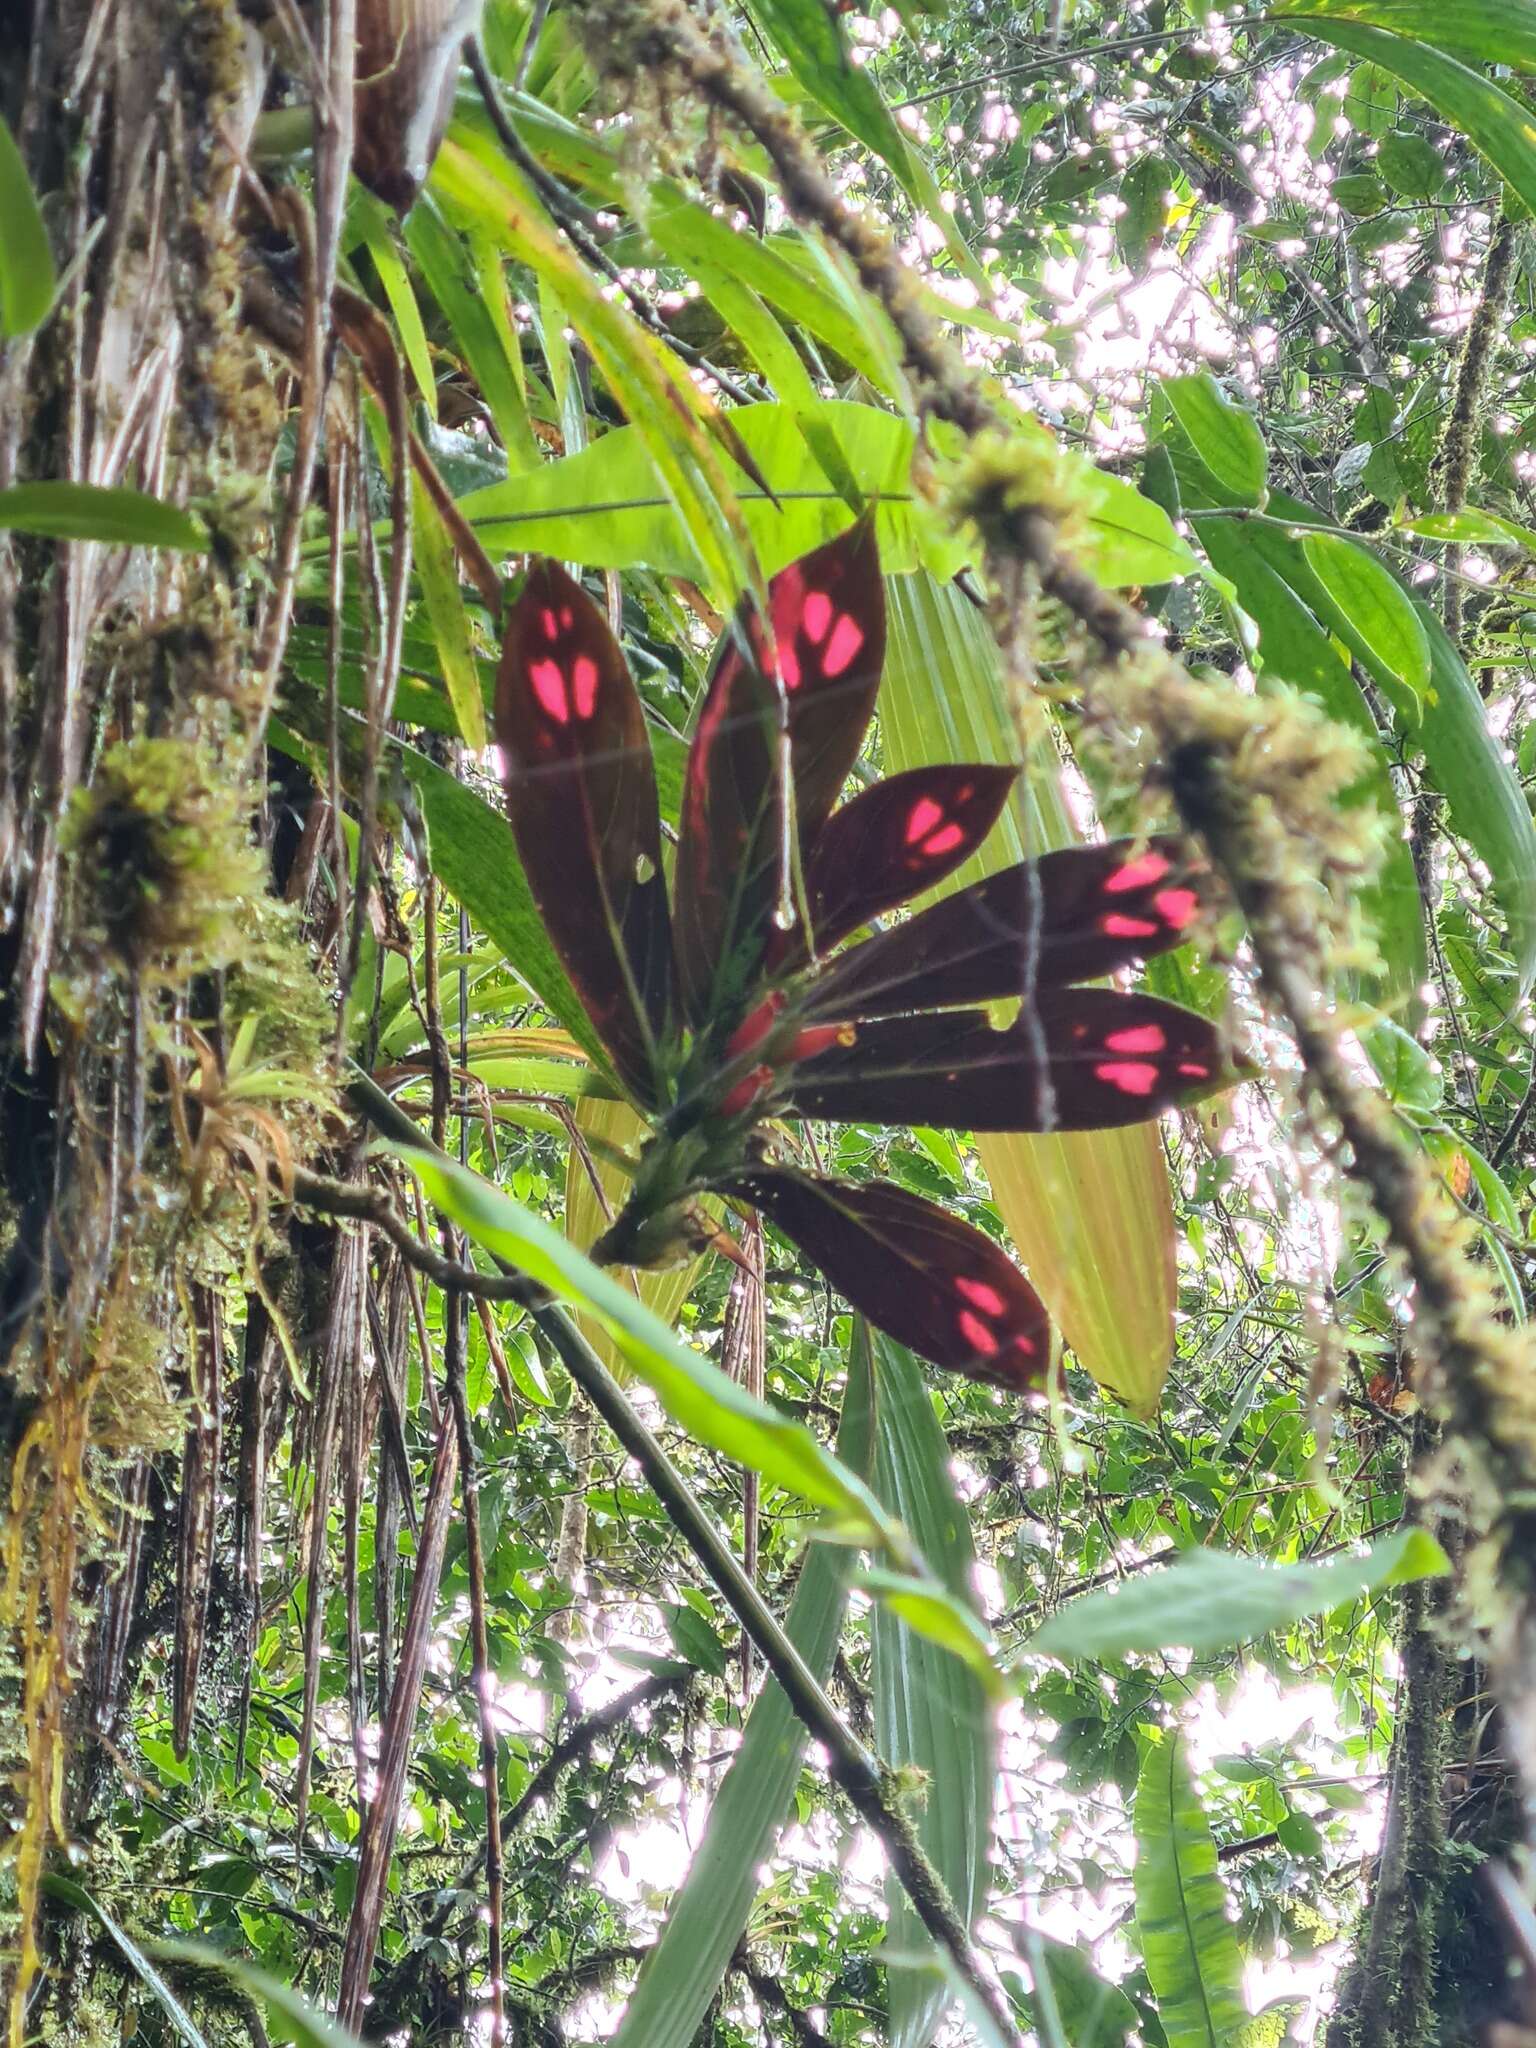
{"x":581,"y":792}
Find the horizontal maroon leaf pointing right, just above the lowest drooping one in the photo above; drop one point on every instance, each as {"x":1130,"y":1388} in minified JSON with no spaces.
{"x":1078,"y":1060}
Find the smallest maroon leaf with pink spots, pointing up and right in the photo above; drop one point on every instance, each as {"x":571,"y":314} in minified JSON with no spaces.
{"x":896,"y":841}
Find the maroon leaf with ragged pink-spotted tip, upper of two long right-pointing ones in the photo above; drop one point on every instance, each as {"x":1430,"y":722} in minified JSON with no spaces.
{"x":1041,"y":925}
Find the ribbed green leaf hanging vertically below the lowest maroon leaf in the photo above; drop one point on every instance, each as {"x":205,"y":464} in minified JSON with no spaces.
{"x":931,"y":1705}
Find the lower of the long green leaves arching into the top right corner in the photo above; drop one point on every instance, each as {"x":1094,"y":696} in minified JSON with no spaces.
{"x":1488,"y":116}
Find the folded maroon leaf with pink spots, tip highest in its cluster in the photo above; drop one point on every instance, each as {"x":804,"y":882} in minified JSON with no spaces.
{"x":828,"y":626}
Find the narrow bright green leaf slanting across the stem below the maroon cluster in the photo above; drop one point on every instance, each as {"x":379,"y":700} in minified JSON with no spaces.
{"x":695,"y":1394}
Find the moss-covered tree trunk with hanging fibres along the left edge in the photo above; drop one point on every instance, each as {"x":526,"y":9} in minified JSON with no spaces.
{"x":136,"y":921}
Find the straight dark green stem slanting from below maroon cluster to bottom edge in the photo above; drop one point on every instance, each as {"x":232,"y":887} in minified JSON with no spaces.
{"x":859,"y":1775}
